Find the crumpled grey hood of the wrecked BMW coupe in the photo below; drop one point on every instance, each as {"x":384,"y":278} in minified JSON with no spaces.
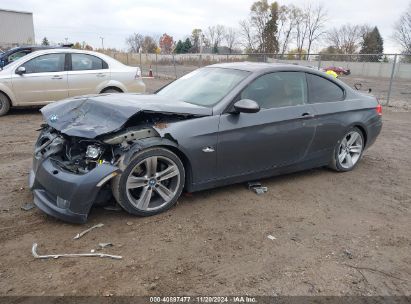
{"x":93,"y":115}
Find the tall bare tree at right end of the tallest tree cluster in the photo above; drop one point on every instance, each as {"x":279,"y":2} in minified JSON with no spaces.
{"x":316,"y":18}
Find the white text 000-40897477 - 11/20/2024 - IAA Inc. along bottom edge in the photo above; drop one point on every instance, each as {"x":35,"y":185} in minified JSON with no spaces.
{"x":204,"y":299}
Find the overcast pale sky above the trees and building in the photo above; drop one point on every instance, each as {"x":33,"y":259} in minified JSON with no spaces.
{"x":114,"y":20}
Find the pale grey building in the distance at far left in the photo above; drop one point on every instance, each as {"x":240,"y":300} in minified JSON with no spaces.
{"x":16,"y":28}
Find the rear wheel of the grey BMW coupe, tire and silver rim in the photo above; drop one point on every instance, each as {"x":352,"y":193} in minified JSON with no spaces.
{"x":348,"y":151}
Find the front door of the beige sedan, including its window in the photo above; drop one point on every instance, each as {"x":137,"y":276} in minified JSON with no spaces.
{"x":44,"y":79}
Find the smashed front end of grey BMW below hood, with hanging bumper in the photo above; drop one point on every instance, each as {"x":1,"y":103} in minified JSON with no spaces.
{"x":70,"y":174}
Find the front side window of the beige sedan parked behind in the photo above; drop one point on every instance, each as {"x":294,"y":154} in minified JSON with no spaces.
{"x":45,"y":64}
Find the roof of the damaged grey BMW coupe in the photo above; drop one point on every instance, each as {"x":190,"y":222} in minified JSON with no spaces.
{"x":260,"y":66}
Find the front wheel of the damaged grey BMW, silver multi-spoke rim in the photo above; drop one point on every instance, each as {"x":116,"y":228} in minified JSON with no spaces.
{"x":151,"y":183}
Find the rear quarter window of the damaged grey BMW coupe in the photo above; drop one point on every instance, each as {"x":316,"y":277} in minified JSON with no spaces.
{"x":323,"y":90}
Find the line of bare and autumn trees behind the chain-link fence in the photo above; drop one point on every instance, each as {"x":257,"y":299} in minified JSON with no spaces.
{"x":279,"y":29}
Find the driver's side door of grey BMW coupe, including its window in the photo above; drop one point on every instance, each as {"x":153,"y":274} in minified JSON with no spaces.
{"x":278,"y":135}
